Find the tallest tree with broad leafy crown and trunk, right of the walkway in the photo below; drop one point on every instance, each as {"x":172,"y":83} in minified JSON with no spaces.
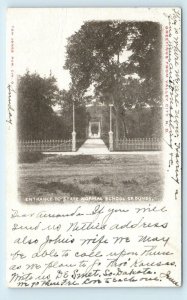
{"x":120,"y":60}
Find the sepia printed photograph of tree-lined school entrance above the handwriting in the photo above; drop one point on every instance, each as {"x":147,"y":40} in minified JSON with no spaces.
{"x":90,"y":120}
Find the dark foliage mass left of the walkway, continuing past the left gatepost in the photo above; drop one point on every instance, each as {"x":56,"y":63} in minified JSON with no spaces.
{"x":37,"y":117}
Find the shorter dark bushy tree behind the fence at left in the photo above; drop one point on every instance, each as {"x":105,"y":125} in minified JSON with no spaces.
{"x":36,"y":117}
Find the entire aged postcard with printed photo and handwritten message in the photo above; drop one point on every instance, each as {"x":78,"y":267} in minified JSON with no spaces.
{"x":94,"y":147}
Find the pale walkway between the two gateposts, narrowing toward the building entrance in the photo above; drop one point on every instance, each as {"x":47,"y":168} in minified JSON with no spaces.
{"x":93,"y":146}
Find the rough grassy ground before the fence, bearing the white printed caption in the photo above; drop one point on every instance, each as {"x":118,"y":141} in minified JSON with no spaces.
{"x":85,"y":177}
